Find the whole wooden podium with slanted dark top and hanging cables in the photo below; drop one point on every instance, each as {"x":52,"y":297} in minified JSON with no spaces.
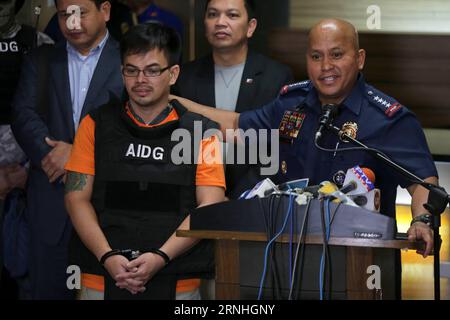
{"x":240,"y":230}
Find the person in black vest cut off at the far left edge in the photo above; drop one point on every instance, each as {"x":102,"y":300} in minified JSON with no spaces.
{"x":15,"y":41}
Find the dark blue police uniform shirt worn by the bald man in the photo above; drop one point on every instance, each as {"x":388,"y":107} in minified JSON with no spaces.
{"x":382,"y":124}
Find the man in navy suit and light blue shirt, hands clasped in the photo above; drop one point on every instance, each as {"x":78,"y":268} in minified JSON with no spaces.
{"x":82,"y":73}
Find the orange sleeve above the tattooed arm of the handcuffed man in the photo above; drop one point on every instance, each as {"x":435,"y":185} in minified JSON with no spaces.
{"x":82,"y":157}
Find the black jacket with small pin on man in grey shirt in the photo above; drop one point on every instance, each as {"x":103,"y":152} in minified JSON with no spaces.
{"x":196,"y":82}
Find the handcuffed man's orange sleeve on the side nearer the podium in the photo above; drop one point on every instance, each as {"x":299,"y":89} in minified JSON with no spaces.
{"x":210,"y":170}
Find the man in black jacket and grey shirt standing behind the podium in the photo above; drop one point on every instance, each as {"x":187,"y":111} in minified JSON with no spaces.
{"x":232,"y":75}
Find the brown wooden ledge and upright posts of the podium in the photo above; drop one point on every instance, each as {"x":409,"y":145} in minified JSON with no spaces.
{"x":359,"y":255}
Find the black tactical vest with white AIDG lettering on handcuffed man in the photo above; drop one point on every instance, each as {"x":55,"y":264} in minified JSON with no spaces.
{"x":141,"y":196}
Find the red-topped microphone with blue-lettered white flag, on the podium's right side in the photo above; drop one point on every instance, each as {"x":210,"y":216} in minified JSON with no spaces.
{"x":358,"y":180}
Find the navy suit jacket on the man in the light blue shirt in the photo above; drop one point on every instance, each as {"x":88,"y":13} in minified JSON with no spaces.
{"x":45,"y":200}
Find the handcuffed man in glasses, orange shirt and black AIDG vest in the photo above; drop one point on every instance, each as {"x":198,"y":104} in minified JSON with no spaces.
{"x":127,"y":215}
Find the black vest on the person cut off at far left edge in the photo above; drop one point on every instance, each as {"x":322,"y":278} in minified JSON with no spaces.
{"x":11,"y":55}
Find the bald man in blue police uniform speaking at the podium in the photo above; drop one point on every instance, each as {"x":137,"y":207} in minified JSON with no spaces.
{"x":334,"y":64}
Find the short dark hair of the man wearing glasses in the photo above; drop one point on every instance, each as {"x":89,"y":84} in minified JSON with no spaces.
{"x":145,"y":37}
